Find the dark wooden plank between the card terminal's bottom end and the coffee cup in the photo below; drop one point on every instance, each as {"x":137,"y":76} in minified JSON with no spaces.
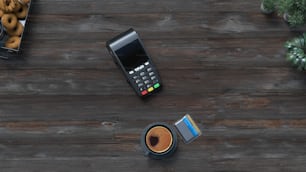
{"x":208,"y":108}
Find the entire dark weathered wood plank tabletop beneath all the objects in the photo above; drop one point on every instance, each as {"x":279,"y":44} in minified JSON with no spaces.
{"x":65,"y":106}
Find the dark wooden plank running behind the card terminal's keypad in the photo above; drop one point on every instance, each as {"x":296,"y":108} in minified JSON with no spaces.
{"x":177,"y":82}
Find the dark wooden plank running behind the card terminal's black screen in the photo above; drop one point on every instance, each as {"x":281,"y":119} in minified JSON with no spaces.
{"x":195,"y":54}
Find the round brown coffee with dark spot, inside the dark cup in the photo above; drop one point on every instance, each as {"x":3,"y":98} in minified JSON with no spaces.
{"x":159,"y":139}
